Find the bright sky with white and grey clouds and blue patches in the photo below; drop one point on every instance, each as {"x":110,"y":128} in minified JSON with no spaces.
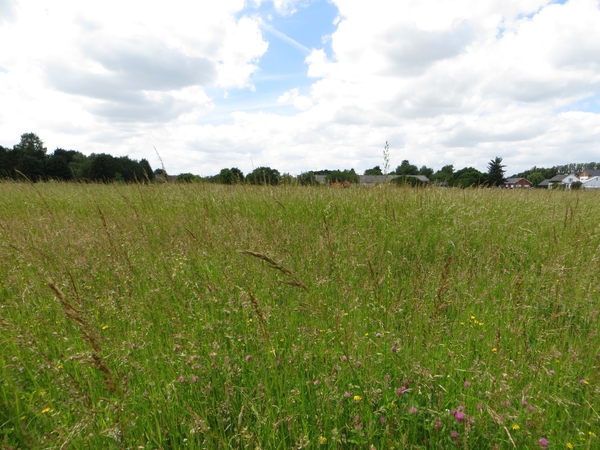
{"x":305,"y":84}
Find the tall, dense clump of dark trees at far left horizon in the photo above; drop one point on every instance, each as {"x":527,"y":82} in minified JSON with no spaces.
{"x":29,"y":158}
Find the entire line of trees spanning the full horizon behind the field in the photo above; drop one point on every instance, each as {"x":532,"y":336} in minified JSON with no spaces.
{"x":29,"y":158}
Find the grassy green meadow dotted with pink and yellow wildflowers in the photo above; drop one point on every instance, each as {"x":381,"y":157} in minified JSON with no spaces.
{"x":206,"y":316}
